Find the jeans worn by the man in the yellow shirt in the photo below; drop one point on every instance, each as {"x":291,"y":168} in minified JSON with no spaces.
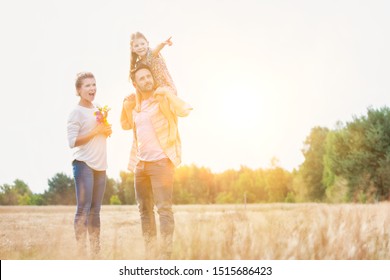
{"x":154,"y":186}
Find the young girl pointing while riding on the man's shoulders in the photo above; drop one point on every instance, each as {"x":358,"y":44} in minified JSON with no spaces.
{"x":142,"y":53}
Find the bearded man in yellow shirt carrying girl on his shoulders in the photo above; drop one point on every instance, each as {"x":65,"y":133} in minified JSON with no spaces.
{"x":152,"y":114}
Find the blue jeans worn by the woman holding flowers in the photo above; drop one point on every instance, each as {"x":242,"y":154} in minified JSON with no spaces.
{"x":90,"y":186}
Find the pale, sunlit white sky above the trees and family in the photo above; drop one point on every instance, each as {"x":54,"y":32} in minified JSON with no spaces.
{"x":259,"y":75}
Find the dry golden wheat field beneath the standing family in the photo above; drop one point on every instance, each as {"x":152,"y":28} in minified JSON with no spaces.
{"x":209,"y":232}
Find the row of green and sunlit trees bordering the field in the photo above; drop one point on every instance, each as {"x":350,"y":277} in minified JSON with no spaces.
{"x":350,"y":163}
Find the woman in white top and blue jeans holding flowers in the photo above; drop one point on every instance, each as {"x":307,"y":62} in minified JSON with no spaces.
{"x":87,"y":134}
